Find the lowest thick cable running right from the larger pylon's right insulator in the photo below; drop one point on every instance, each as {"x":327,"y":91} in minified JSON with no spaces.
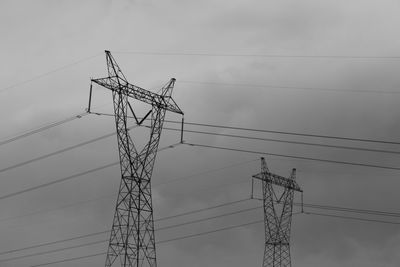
{"x":297,"y":157}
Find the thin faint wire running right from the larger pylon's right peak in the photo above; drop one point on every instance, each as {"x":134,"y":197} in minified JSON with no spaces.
{"x":291,"y":87}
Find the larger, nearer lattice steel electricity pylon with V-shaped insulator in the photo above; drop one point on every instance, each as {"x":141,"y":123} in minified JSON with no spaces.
{"x":132,"y":241}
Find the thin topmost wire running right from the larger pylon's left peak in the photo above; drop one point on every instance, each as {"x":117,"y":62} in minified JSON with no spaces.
{"x":152,"y":53}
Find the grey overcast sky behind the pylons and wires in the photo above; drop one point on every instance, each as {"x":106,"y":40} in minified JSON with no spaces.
{"x":51,"y":49}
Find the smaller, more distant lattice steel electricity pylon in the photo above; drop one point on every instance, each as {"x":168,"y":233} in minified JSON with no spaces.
{"x":277,"y":226}
